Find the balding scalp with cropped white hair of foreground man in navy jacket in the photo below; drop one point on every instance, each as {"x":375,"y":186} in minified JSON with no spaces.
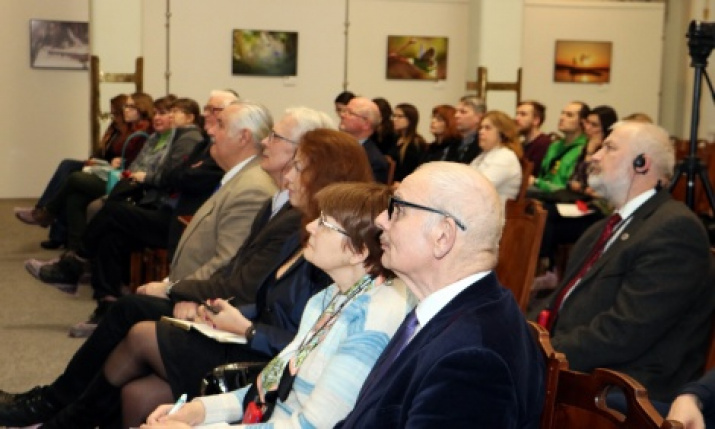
{"x":467,"y":195}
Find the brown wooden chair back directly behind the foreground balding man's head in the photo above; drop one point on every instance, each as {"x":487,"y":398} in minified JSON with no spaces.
{"x":519,"y":247}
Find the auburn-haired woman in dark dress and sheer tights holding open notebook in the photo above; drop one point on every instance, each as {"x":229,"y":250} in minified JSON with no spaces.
{"x":157,"y":362}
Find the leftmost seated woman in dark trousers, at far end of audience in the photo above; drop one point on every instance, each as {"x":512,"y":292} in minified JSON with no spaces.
{"x":113,"y":138}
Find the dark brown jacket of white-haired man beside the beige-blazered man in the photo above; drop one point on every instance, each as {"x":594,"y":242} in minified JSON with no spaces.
{"x":254,"y":260}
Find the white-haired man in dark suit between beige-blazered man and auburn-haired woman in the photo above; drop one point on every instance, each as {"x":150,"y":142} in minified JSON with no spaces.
{"x":276,"y":222}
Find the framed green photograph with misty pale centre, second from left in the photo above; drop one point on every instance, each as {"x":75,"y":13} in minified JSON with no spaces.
{"x":265,"y":53}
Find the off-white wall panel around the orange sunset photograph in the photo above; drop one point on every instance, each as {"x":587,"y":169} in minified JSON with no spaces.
{"x":636,"y":30}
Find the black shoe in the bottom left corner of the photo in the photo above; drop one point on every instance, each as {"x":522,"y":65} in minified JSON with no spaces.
{"x":29,"y":408}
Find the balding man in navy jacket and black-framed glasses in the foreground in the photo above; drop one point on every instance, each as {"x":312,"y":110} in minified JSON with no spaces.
{"x":465,"y":357}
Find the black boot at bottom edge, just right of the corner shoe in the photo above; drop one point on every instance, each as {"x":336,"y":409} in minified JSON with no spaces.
{"x":99,"y":402}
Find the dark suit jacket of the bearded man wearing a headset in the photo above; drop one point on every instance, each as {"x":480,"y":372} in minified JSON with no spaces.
{"x":645,"y":306}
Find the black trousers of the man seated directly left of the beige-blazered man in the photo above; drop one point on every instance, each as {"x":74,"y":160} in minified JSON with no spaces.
{"x":118,"y":229}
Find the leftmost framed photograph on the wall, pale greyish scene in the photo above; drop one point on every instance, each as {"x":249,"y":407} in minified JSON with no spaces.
{"x":59,"y":44}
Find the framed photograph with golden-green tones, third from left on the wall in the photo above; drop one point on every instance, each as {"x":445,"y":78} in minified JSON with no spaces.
{"x":417,"y":57}
